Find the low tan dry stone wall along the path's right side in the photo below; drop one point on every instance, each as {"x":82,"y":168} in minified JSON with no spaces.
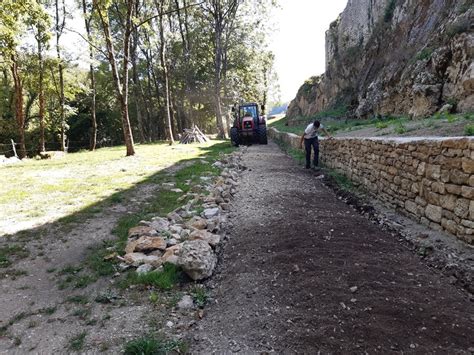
{"x":429,"y":179}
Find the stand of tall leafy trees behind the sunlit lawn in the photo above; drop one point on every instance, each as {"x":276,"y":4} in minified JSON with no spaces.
{"x":155,"y":67}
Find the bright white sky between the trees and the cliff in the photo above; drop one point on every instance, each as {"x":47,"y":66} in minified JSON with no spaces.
{"x":299,"y":40}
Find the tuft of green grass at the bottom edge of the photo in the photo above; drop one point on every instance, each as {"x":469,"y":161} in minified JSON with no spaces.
{"x":150,"y":345}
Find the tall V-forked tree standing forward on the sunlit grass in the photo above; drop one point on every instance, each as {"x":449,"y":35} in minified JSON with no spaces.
{"x":121,"y":85}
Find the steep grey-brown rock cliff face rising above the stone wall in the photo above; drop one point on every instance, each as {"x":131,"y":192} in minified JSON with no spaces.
{"x":395,"y":57}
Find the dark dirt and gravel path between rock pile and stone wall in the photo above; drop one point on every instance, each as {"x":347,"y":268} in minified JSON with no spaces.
{"x":304,"y":272}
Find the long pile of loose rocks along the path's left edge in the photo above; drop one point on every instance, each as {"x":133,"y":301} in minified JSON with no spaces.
{"x":186,"y":237}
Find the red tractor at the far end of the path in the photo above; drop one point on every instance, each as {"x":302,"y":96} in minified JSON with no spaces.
{"x":249,"y":126}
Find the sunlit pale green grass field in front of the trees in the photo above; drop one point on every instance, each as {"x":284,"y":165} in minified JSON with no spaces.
{"x":34,"y":192}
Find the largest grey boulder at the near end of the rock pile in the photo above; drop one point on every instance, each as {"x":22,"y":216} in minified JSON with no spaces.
{"x":197,"y":259}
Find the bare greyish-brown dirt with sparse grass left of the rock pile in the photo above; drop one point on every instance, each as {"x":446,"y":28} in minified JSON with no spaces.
{"x":42,"y":318}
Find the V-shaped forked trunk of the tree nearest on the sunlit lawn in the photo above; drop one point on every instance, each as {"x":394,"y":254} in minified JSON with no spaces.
{"x":120,"y":88}
